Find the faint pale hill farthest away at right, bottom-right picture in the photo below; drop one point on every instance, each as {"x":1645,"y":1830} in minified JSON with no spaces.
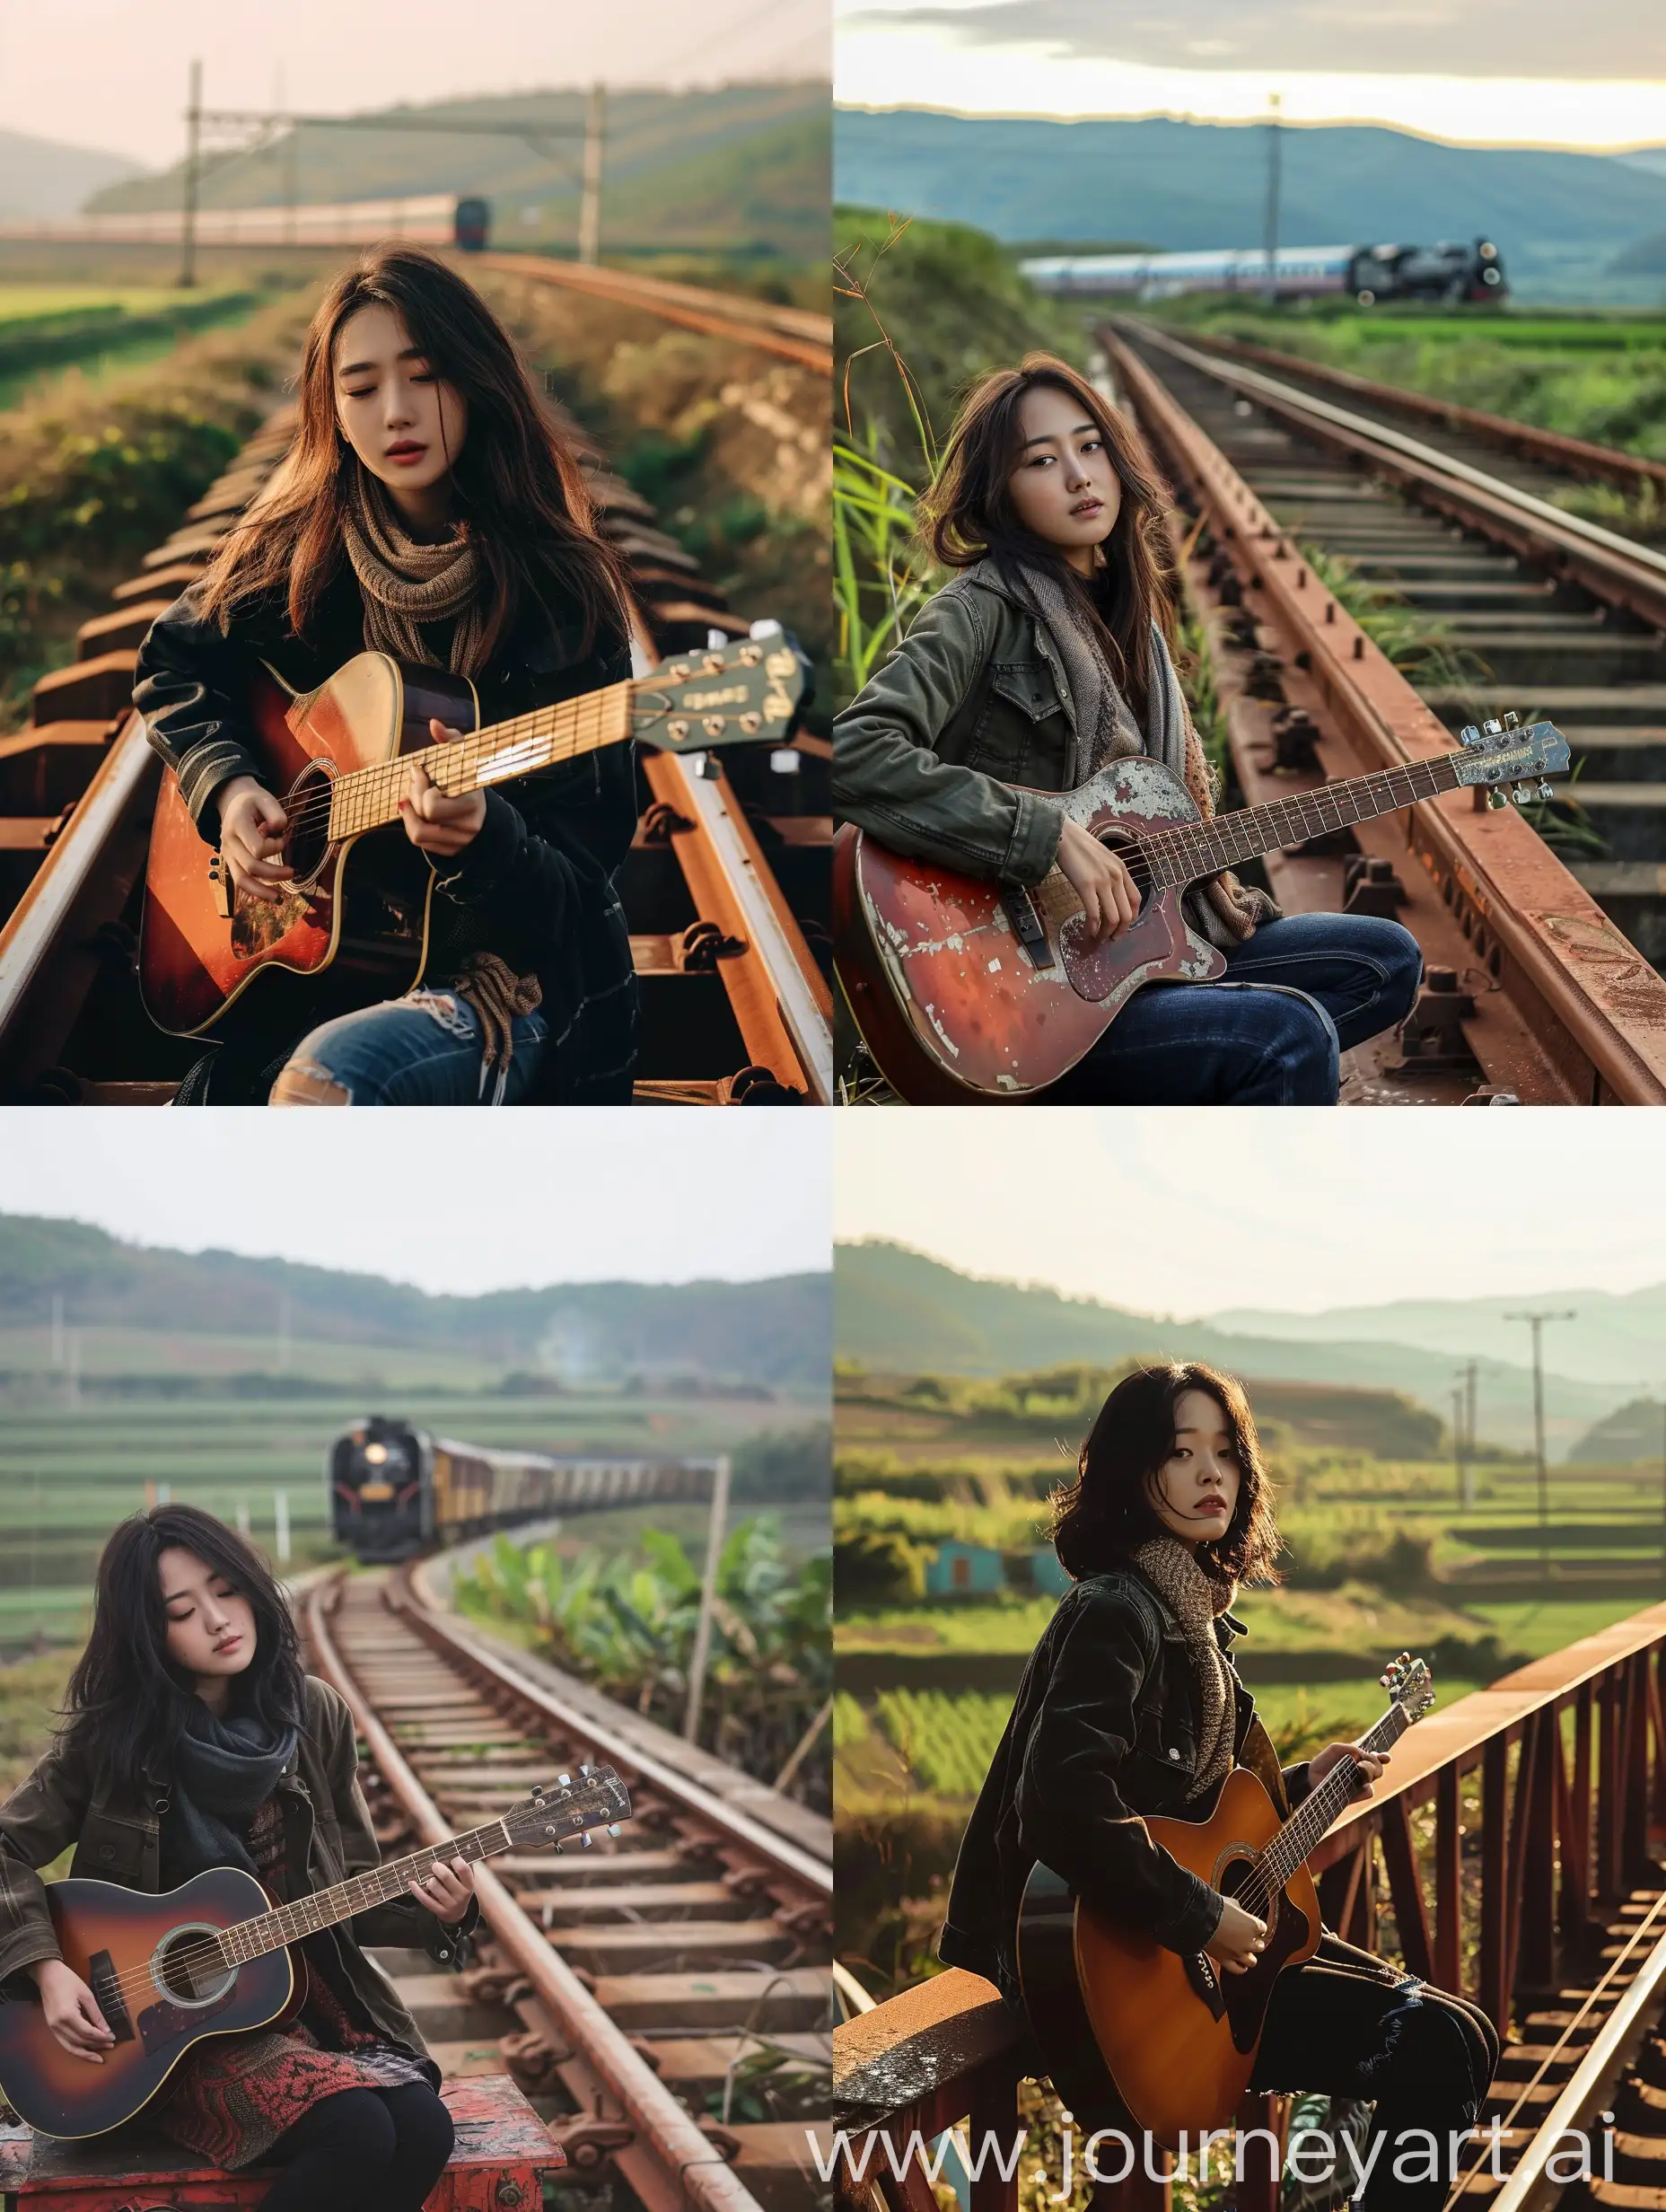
{"x":1614,"y":1339}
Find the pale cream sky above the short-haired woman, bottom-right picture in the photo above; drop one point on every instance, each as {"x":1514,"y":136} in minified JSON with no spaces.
{"x":1191,"y":1211}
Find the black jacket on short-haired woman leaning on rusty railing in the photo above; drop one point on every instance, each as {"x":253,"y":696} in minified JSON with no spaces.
{"x":1105,"y":1731}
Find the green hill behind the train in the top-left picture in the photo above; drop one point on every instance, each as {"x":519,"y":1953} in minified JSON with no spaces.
{"x":738,"y":167}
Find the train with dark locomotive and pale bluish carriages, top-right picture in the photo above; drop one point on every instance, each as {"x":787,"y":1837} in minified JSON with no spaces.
{"x":1450,"y":273}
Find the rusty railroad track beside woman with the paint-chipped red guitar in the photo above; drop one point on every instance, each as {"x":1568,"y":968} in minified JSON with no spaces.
{"x":1543,"y":972}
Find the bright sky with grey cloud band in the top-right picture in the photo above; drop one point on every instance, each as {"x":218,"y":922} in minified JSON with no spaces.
{"x":1508,"y":72}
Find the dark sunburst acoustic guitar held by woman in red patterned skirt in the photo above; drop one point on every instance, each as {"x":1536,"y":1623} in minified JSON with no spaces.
{"x":214,"y":1959}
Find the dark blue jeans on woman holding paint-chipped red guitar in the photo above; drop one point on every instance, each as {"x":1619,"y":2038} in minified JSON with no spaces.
{"x":1267,"y":1034}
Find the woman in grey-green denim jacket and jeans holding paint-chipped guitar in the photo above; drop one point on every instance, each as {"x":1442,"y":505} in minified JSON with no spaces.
{"x":1045,"y":658}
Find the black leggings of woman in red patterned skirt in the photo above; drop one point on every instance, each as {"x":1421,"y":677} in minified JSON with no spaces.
{"x":364,"y":2147}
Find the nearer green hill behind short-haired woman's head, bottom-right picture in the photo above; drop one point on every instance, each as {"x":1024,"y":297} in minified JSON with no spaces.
{"x":902,"y":1313}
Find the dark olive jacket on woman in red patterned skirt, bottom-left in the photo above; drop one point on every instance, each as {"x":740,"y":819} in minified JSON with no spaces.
{"x":118,"y":1839}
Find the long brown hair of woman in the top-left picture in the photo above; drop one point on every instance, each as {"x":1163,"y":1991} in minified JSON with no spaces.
{"x":517,"y":481}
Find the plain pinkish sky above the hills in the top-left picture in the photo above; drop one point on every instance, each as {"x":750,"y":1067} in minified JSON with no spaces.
{"x":114,"y":74}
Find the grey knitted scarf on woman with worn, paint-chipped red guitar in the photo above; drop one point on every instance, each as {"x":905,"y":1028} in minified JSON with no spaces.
{"x":1222,"y":908}
